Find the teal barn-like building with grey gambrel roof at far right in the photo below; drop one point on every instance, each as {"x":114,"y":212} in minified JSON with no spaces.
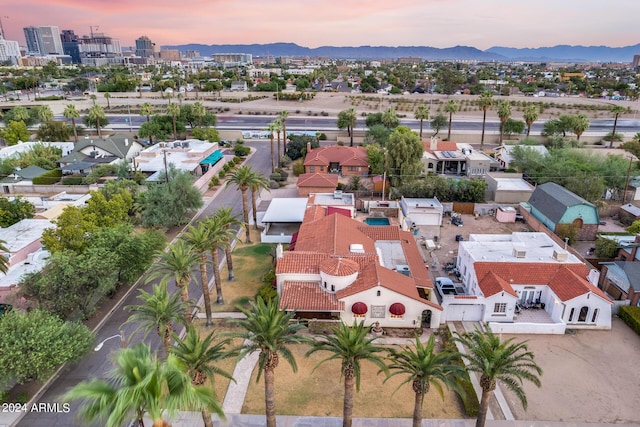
{"x":558,"y":208}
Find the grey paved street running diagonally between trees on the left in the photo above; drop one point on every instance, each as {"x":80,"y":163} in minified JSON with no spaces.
{"x":97,"y":364}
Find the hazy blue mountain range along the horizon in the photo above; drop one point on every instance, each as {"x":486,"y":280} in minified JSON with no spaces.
{"x":562,"y":53}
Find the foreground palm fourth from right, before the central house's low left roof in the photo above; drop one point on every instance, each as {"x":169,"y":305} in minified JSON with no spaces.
{"x":269,"y":330}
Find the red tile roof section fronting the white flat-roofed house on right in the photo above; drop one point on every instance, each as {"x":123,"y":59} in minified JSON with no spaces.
{"x":566,"y":280}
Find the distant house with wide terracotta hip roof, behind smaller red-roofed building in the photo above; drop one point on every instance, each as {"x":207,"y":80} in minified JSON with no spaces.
{"x":337,"y":159}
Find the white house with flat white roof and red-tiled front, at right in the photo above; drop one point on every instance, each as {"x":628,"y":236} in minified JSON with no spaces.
{"x":525,"y":283}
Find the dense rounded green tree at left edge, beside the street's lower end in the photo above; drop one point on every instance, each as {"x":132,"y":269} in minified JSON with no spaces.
{"x":34,"y":343}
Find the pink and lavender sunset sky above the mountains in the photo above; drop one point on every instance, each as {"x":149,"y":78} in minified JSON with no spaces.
{"x":313,"y":23}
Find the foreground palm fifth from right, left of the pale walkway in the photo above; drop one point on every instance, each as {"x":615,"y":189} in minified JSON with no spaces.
{"x":199,"y":356}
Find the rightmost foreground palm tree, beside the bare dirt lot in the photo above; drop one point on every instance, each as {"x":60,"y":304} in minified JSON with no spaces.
{"x":495,"y":360}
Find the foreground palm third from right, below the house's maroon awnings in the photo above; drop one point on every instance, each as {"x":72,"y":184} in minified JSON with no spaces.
{"x":351,"y":346}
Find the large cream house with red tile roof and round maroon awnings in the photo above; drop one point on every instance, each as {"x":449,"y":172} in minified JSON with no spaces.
{"x":344,"y":269}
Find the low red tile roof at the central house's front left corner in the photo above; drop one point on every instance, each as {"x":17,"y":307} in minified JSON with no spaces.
{"x":308,"y":296}
